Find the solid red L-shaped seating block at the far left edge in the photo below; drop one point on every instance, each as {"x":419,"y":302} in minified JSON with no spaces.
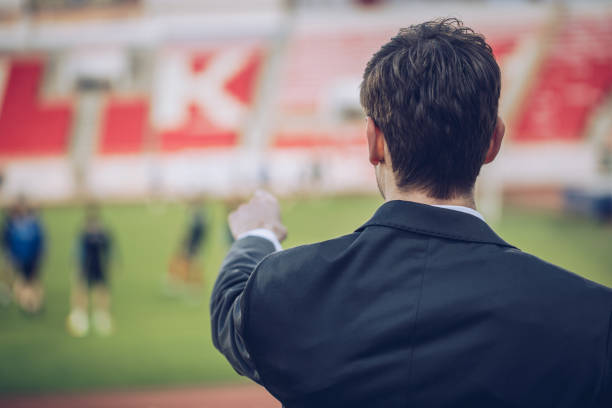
{"x":28,"y":125}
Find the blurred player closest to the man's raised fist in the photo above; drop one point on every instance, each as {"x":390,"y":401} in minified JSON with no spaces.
{"x":184,"y":272}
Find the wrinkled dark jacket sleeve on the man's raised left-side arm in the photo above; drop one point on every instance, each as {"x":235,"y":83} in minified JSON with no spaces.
{"x":226,"y":303}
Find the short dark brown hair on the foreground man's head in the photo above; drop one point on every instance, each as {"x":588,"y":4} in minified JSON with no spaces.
{"x":433,"y":91}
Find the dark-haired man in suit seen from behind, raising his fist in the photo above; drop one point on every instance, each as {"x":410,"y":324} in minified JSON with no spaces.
{"x":424,"y":305}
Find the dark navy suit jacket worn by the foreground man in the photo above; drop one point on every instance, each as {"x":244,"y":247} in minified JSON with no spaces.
{"x":420,"y":307}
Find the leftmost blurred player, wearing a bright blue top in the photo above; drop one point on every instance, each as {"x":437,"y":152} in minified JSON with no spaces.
{"x":23,"y":242}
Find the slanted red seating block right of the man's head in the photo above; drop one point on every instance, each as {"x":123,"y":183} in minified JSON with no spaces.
{"x":572,"y":82}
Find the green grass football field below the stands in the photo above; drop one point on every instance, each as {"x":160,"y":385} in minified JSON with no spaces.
{"x":166,"y":341}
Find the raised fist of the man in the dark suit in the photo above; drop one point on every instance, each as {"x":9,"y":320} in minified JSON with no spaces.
{"x":261,"y":212}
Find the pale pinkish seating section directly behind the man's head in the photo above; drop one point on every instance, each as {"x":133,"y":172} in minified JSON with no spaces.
{"x":307,"y":87}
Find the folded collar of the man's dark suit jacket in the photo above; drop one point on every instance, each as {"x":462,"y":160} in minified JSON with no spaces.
{"x":436,"y":221}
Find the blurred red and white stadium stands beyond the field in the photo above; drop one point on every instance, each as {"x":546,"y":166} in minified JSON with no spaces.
{"x":197,"y":92}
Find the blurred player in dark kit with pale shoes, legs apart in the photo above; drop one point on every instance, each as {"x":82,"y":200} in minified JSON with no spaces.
{"x":94,"y":248}
